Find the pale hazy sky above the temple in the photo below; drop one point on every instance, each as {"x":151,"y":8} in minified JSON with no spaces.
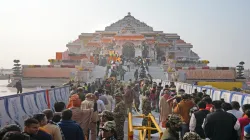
{"x":33,"y":30}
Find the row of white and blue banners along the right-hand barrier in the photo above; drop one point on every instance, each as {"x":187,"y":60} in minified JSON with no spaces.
{"x":215,"y":94}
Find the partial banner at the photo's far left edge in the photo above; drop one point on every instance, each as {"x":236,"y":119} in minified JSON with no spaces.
{"x":4,"y":117}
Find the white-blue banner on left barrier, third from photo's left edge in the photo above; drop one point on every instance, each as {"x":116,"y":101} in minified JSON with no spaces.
{"x":28,"y":104}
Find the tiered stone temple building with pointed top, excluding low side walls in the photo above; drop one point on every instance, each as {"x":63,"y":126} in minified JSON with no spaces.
{"x":128,"y":37}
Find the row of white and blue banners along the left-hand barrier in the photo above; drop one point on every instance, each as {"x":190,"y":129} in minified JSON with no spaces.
{"x":14,"y":109}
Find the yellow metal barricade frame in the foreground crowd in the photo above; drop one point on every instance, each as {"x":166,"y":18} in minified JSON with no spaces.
{"x":143,"y":130}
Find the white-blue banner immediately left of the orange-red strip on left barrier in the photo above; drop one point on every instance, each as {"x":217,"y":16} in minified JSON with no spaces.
{"x":40,"y":100}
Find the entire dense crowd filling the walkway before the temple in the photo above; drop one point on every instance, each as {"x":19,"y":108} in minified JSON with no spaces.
{"x":98,"y":111}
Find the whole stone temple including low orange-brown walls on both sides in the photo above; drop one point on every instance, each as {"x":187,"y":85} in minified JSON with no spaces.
{"x":125,"y":39}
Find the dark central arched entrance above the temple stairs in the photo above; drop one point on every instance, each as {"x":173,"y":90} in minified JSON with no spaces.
{"x":128,"y":50}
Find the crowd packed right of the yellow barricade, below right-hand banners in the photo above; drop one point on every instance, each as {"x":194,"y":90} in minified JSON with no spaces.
{"x":197,"y":117}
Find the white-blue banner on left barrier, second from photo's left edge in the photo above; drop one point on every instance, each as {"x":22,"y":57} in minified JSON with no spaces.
{"x":15,"y":110}
